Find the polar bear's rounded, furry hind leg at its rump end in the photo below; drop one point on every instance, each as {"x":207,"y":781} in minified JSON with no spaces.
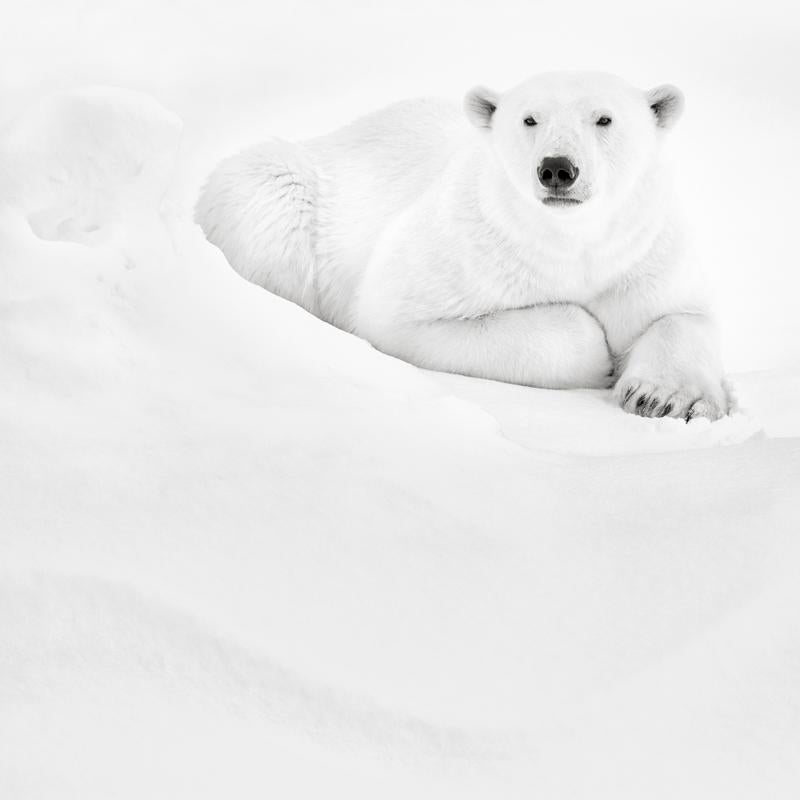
{"x":259,"y":208}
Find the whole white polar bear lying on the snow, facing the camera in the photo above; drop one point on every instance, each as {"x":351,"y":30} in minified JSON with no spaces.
{"x":540,"y":245}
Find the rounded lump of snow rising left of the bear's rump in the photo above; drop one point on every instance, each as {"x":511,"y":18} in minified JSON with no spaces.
{"x":87,"y":160}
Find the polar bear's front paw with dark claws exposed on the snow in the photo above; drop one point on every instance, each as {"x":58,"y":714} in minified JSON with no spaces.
{"x":682,"y":399}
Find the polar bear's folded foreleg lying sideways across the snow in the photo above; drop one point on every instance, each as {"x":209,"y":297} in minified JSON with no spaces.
{"x":556,"y":346}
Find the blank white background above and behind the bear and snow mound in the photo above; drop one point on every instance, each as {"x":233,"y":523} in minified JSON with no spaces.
{"x":236,"y":71}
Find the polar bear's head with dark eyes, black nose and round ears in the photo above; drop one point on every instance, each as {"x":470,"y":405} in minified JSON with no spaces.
{"x":575,"y":140}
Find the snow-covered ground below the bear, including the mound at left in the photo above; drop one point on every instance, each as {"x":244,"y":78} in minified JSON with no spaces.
{"x":244,"y":554}
